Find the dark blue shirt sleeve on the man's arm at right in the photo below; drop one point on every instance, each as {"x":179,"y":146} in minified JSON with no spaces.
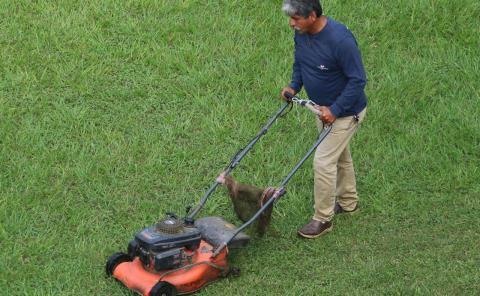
{"x":350,"y":61}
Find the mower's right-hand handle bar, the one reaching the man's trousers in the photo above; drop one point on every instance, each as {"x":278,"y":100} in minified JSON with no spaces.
{"x":279,"y":192}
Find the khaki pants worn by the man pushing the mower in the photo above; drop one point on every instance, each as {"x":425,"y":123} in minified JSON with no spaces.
{"x":333,"y":168}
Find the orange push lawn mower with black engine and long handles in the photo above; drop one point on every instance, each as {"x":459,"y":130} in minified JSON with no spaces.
{"x":181,"y":255}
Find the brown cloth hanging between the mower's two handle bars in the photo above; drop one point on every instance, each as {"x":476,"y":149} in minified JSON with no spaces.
{"x":247,"y":200}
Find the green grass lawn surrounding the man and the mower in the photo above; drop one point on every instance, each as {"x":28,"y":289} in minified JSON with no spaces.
{"x":114,"y":112}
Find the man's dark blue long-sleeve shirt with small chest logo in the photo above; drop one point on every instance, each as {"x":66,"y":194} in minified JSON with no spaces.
{"x":329,"y":65}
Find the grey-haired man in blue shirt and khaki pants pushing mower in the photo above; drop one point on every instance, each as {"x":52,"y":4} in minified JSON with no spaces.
{"x":329,"y":66}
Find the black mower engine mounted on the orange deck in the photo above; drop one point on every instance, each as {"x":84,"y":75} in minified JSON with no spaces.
{"x":166,"y":245}
